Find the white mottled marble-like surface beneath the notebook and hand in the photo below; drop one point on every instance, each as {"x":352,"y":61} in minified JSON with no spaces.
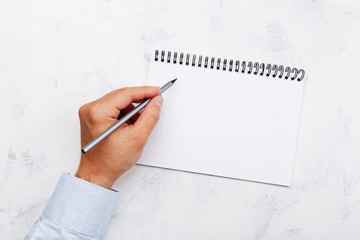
{"x":57,"y":55}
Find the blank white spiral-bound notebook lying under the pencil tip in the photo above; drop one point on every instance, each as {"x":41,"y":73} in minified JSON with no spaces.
{"x":226,"y":117}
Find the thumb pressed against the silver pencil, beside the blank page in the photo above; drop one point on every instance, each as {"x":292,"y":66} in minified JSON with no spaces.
{"x":150,"y":116}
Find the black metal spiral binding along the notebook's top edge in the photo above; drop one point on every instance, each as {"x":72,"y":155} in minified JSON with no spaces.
{"x":230,"y":65}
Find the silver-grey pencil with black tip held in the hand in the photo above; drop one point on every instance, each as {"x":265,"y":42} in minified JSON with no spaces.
{"x":124,"y":119}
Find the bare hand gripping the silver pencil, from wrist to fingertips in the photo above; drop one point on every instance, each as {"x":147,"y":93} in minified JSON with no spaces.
{"x":118,"y":152}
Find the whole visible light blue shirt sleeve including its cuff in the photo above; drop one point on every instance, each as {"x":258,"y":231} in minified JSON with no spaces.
{"x":77,"y":210}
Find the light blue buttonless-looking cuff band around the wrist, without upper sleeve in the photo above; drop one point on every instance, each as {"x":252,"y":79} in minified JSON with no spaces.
{"x":81,"y":206}
